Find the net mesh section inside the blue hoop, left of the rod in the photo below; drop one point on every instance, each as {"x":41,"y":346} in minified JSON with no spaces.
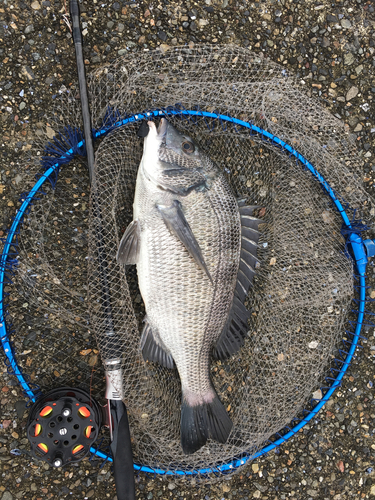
{"x":47,"y":306}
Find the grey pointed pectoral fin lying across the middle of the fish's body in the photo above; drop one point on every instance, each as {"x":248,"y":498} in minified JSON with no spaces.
{"x":176,"y":222}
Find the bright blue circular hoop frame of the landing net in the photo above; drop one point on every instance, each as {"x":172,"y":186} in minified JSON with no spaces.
{"x":69,"y":143}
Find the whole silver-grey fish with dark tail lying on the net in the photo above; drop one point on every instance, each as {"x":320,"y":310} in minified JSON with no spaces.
{"x":194,"y":245}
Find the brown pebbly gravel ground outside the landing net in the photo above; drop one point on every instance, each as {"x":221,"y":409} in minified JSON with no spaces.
{"x":331,"y":46}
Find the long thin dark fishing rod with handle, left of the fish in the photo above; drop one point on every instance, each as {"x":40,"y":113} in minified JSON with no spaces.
{"x":117,"y":413}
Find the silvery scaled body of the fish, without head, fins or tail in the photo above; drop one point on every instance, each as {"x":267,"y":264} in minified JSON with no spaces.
{"x":182,"y":306}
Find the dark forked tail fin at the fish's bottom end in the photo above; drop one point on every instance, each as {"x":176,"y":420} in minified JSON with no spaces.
{"x":206,"y":419}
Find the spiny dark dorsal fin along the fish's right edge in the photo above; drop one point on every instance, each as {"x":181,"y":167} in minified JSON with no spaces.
{"x":235,"y":329}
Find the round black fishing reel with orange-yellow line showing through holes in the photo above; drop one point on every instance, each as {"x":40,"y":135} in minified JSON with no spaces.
{"x":63,"y":425}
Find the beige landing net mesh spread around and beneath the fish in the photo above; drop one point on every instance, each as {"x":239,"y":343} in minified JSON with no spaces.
{"x":302,"y":290}
